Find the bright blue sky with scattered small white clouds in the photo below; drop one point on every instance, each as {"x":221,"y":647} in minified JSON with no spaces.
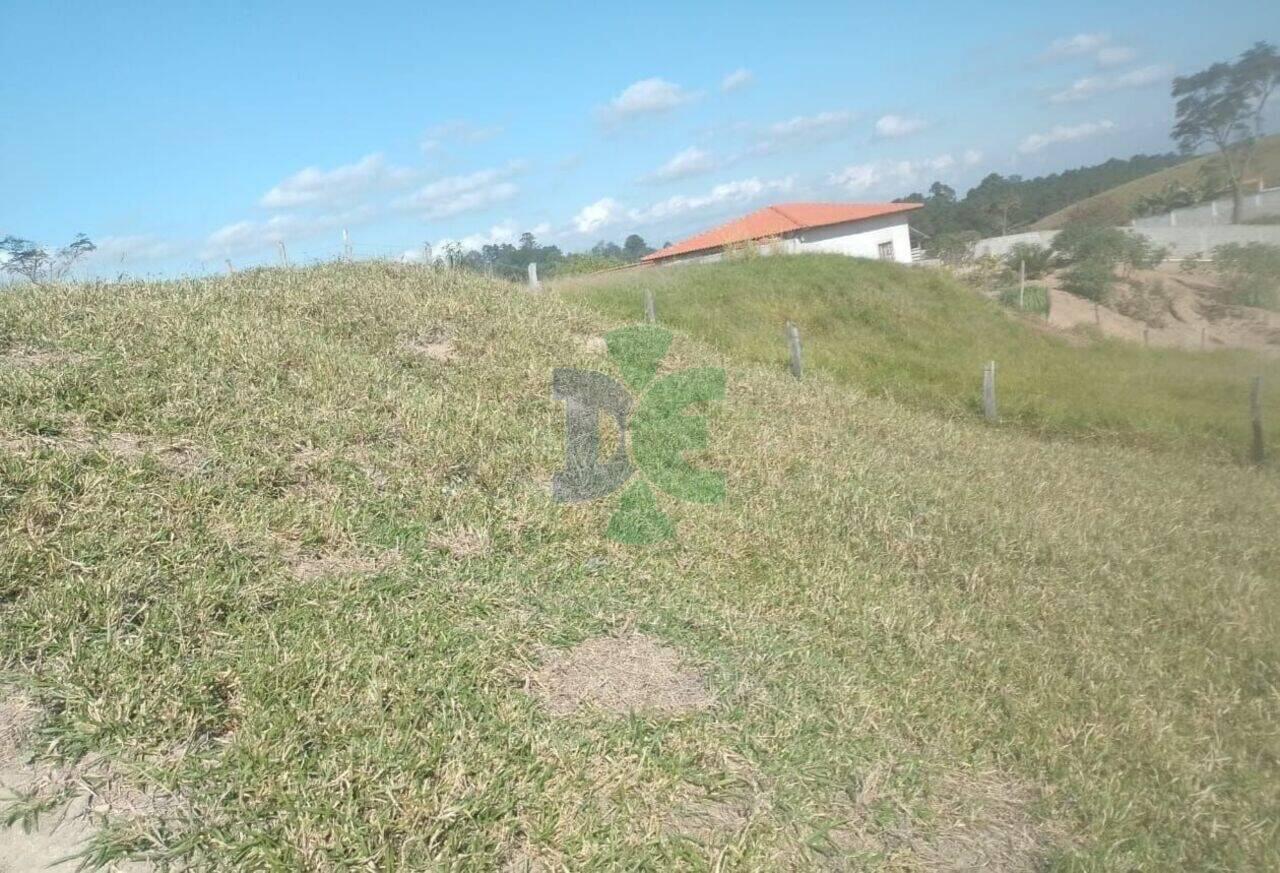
{"x":179,"y":135}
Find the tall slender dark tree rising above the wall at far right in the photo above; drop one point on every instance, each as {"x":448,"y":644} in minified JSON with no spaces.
{"x":1224,"y":104}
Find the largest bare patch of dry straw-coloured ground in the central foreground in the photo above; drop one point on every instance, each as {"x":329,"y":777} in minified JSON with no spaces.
{"x":620,"y":675}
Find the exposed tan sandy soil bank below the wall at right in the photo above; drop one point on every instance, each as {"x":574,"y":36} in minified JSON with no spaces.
{"x":1176,"y":310}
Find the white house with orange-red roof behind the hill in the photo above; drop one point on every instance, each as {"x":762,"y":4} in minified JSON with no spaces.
{"x":876,"y":231}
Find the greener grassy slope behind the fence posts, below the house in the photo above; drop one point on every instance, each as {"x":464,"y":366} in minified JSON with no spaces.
{"x":921,"y":339}
